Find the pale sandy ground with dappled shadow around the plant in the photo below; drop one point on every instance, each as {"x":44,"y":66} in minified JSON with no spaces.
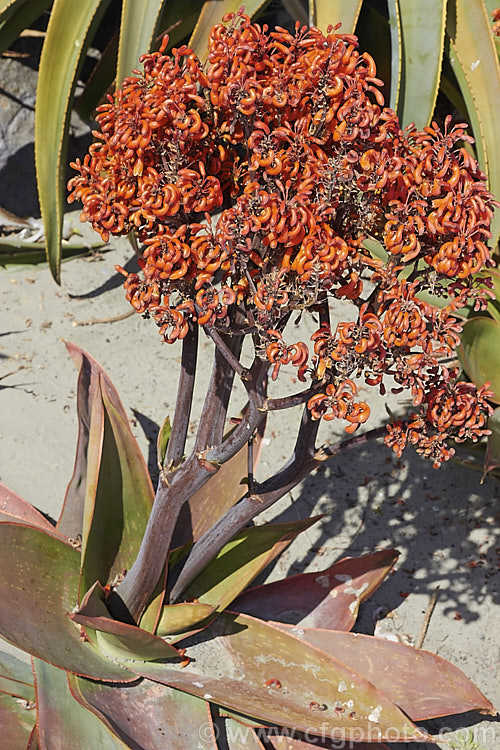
{"x":445,"y":523}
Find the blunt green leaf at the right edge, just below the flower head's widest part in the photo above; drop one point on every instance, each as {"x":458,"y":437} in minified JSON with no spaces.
{"x":479,"y":352}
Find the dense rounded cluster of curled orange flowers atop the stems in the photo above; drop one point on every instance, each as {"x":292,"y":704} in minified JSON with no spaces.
{"x":252,"y":183}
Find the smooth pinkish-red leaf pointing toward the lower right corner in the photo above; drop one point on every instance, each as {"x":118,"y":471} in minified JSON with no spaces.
{"x":436,"y":688}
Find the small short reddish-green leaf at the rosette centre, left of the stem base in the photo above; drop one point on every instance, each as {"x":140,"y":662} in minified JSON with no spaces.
{"x":121,"y":640}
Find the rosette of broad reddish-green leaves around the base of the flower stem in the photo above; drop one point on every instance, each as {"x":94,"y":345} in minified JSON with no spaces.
{"x":99,"y":681}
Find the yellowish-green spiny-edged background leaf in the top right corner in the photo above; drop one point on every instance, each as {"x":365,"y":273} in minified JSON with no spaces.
{"x":475,"y":53}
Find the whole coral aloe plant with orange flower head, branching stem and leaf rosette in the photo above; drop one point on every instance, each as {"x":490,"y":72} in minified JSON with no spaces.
{"x":254,"y":185}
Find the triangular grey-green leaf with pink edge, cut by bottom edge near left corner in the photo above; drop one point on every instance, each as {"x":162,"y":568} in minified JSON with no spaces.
{"x":62,"y":721}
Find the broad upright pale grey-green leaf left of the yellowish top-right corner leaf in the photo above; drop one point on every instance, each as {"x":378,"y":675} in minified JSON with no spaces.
{"x":422,"y":28}
